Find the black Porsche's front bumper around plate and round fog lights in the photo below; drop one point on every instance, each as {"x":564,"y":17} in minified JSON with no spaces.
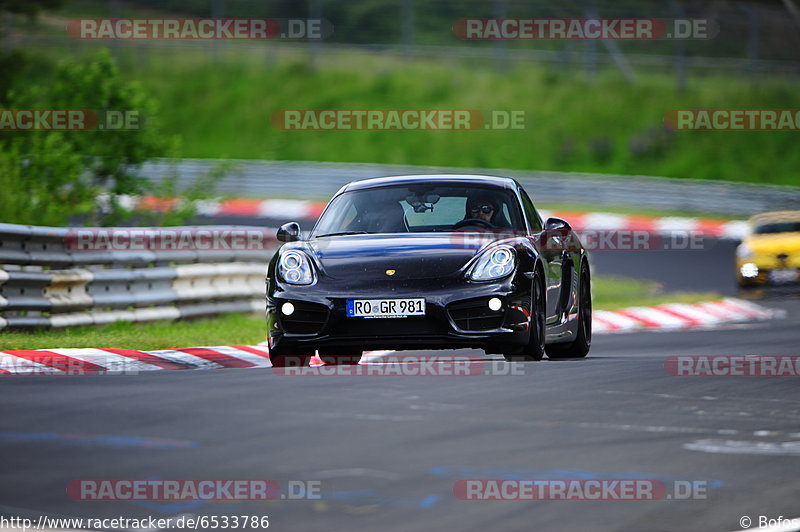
{"x":457,"y":315}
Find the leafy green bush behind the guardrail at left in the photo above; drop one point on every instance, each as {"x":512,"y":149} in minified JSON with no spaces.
{"x":50,"y":176}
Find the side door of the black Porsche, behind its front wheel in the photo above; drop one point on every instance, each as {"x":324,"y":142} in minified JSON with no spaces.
{"x":551,"y":248}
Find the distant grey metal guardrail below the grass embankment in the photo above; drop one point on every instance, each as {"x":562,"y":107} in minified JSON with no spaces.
{"x":309,"y":180}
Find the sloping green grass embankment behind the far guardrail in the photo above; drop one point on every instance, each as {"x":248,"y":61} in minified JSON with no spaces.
{"x":223,"y":109}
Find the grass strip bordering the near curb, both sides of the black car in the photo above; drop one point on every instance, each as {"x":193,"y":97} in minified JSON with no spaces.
{"x":247,"y":329}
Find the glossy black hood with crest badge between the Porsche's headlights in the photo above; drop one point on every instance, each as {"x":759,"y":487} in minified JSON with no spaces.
{"x":367,"y":257}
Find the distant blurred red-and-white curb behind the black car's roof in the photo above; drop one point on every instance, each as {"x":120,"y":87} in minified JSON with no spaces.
{"x":581,"y":221}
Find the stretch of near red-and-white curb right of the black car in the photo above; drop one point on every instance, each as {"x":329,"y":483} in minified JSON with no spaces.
{"x":673,"y":316}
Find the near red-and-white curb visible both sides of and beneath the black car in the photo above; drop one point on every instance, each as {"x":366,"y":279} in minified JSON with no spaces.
{"x":81,"y":361}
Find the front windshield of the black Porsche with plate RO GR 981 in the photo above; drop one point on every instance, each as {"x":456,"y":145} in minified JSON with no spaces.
{"x":421,"y":208}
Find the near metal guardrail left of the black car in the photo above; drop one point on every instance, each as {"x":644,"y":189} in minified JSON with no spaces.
{"x":47,"y":280}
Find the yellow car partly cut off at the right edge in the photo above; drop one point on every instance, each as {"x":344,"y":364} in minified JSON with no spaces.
{"x":770,"y":254}
